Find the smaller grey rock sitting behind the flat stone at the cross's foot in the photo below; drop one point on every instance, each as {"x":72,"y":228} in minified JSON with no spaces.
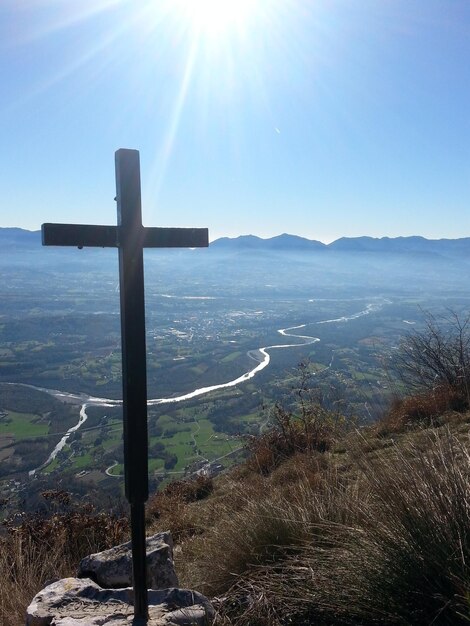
{"x":113,"y":568}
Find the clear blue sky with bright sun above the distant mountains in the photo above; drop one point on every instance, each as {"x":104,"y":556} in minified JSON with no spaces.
{"x":322,"y":118}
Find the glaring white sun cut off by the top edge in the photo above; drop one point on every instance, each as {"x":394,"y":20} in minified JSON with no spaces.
{"x":216,"y":17}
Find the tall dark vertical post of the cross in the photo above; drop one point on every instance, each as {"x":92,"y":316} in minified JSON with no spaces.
{"x":134,"y":368}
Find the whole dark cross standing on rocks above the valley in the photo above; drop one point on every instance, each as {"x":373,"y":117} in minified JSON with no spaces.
{"x":130,"y":237}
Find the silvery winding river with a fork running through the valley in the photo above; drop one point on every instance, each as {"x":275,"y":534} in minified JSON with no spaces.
{"x":261,"y":356}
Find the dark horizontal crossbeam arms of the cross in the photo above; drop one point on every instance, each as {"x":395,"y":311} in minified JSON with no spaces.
{"x":84,"y":235}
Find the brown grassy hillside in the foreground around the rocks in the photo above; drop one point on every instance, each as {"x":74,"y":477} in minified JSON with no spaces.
{"x":321,"y":526}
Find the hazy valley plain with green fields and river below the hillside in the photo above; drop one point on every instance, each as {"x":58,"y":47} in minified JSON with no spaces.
{"x":225,"y":336}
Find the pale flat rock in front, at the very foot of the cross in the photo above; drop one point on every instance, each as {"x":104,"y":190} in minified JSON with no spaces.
{"x":81,"y":602}
